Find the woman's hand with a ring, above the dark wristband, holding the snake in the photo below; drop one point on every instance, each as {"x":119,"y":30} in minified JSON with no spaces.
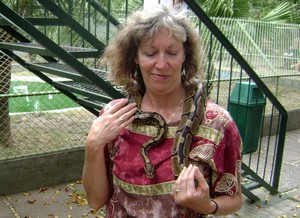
{"x":186,"y":193}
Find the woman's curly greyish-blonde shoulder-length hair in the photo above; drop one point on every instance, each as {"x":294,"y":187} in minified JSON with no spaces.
{"x":140,"y":27}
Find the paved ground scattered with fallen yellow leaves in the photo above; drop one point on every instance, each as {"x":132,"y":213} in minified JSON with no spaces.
{"x":67,"y":200}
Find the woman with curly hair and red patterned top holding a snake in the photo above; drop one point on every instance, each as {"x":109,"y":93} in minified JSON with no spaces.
{"x":156,"y":59}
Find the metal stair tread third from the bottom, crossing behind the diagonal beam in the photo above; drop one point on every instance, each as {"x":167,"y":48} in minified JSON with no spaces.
{"x":34,"y":48}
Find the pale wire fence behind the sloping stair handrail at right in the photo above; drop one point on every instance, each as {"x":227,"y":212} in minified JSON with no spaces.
{"x":271,"y":49}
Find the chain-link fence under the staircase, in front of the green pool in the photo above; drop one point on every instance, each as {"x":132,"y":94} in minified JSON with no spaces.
{"x":35,"y":118}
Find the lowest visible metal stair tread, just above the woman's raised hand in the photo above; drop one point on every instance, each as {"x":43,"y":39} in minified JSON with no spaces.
{"x":84,"y":89}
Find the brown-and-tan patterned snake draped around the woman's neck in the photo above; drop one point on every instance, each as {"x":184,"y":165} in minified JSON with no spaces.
{"x":193,"y":110}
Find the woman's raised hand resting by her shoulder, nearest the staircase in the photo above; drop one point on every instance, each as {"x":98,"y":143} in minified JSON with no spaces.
{"x":112,"y":121}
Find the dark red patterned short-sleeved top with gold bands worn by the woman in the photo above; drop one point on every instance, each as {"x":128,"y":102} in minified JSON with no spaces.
{"x":216,"y":150}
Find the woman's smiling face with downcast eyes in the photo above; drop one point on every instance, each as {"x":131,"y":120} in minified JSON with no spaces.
{"x":160,"y":60}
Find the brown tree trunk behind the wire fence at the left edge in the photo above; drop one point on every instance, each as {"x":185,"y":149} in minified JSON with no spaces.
{"x":5,"y":78}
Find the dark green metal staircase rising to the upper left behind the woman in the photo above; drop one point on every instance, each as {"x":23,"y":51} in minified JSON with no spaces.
{"x":88,"y":87}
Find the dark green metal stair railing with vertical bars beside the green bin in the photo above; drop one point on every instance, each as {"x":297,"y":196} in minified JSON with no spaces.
{"x":261,"y":168}
